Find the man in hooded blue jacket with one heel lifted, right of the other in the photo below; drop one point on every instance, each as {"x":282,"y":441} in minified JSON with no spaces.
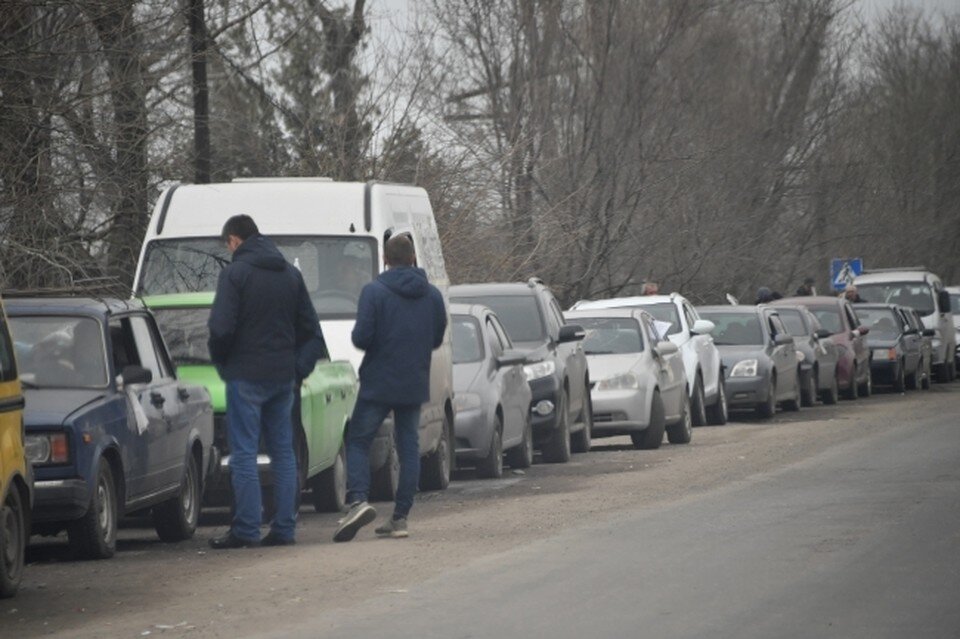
{"x":401,"y":319}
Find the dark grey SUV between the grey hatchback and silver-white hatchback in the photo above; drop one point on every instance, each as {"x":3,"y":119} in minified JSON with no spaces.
{"x":558,"y":377}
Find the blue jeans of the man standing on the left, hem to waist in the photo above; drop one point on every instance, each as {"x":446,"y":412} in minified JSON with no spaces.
{"x":253,"y":407}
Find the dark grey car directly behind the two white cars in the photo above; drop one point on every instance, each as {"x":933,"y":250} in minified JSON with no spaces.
{"x":759,"y":357}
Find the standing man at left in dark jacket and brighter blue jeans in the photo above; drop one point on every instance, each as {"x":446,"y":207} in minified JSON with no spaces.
{"x":264,"y":335}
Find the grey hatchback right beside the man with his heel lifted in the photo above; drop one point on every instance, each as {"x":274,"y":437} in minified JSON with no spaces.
{"x":491,"y":393}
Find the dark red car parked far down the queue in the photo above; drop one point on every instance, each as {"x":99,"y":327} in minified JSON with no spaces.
{"x":853,"y":363}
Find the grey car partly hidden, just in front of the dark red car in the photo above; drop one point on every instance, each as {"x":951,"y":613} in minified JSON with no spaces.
{"x":817,"y":352}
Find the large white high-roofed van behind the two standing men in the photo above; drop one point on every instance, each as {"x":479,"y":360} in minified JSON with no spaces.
{"x":334,"y":233}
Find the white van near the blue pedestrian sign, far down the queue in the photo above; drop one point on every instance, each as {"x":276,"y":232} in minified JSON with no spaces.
{"x":920,"y":289}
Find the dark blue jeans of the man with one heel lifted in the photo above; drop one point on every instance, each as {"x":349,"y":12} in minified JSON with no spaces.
{"x":366,"y":421}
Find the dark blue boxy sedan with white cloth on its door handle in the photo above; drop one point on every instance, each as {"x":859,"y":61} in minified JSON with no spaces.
{"x":110,"y":430}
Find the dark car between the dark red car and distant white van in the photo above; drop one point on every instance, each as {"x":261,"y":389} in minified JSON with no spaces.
{"x":896,"y":346}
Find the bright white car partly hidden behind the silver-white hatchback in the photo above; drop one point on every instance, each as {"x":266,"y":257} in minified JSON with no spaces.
{"x":701,"y":360}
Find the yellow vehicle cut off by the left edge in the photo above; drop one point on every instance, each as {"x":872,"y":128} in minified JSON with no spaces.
{"x":15,"y":472}
